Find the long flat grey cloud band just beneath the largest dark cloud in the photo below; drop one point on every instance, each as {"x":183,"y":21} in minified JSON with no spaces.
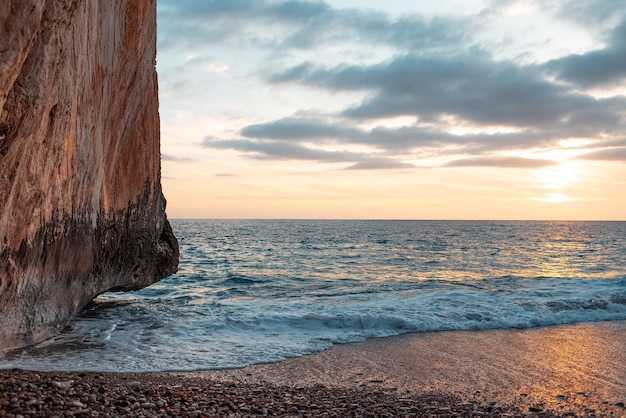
{"x":291,"y":139}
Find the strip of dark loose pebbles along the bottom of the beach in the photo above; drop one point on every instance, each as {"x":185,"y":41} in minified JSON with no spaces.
{"x":33,"y":394}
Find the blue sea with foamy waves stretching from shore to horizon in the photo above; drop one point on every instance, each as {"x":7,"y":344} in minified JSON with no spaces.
{"x":259,"y":291}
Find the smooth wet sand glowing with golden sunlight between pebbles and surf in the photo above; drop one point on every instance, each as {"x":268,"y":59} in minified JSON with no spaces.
{"x":572,"y":368}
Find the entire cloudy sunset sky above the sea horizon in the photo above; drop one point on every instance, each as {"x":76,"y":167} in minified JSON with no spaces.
{"x":394,"y":109}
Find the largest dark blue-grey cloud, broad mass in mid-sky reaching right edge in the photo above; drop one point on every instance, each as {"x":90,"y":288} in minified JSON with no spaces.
{"x":471,"y":87}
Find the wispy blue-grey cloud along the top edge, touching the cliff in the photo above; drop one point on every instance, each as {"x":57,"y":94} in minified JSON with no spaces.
{"x":298,"y":24}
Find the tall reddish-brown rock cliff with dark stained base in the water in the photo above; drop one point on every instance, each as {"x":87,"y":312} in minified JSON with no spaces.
{"x":81,"y":206}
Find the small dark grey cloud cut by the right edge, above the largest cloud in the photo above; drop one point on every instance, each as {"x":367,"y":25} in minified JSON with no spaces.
{"x":600,"y":68}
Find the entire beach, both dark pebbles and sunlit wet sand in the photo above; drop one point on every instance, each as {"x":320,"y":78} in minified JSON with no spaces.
{"x":564,"y":370}
